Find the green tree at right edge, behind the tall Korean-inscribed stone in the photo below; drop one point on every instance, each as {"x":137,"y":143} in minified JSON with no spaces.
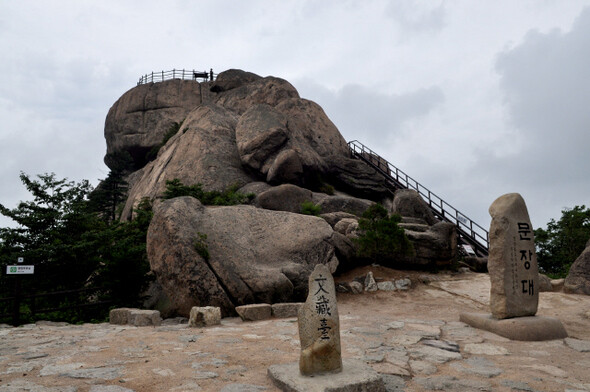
{"x":563,"y":241}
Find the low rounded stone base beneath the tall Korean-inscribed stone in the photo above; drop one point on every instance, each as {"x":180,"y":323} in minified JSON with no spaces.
{"x":529,"y":328}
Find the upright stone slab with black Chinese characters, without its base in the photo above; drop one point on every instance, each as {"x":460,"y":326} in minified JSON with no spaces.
{"x":319,"y":326}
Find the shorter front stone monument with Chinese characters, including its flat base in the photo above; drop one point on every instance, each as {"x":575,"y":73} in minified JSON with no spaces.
{"x":320,"y":366}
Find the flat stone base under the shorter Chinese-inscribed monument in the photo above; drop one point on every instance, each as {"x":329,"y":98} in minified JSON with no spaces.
{"x":355,"y":376}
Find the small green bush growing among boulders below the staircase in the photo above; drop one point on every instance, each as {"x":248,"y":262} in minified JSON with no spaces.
{"x":381,"y":239}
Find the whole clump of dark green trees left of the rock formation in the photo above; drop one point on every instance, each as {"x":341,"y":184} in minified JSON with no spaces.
{"x":71,"y":244}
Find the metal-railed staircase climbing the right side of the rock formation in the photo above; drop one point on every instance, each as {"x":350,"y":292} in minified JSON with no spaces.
{"x":470,"y":233}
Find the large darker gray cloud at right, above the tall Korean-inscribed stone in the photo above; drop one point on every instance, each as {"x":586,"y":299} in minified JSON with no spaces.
{"x":546,"y":92}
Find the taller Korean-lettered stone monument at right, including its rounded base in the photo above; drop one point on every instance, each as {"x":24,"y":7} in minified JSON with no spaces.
{"x":514,"y":277}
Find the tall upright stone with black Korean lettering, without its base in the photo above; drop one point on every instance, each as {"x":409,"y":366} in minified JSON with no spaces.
{"x":512,"y":261}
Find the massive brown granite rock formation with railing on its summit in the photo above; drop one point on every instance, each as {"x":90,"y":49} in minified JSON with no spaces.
{"x":257,"y":133}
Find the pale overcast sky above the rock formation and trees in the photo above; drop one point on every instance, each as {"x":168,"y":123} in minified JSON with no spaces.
{"x":473,"y":99}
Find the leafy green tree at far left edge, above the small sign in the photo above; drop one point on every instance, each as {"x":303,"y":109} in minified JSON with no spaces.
{"x":51,"y":230}
